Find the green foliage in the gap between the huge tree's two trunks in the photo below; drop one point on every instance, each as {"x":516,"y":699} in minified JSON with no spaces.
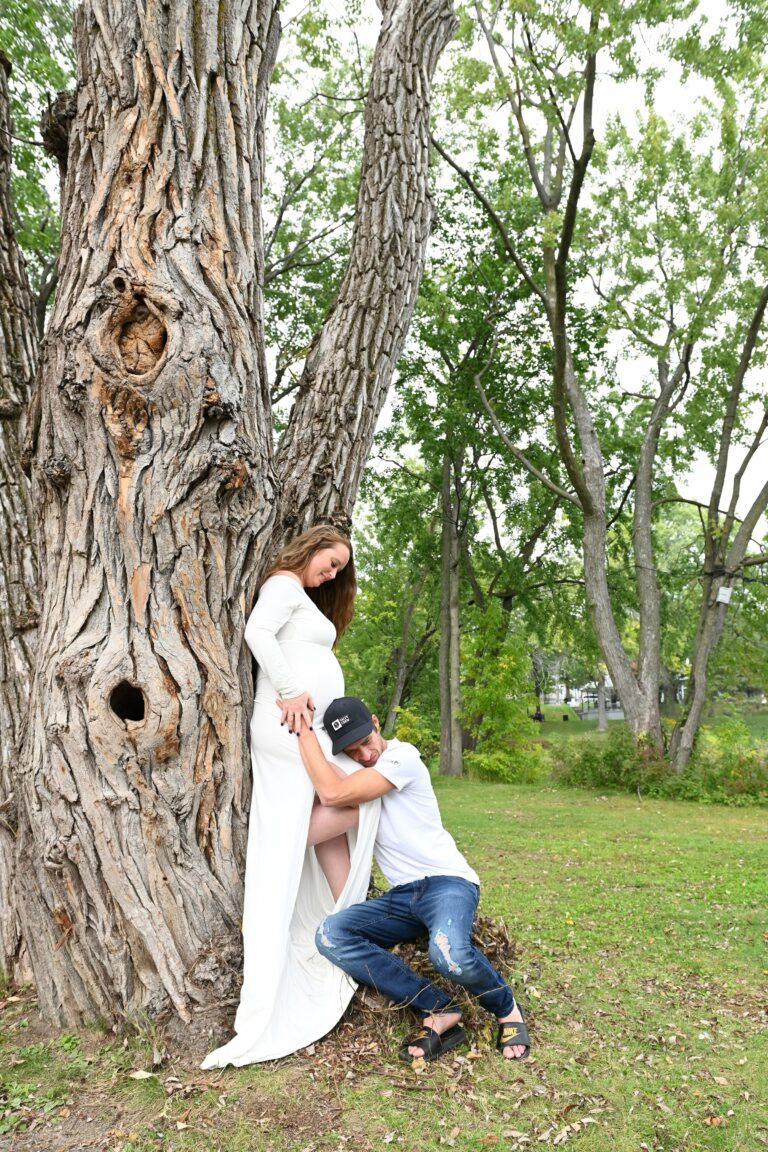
{"x":314,"y":151}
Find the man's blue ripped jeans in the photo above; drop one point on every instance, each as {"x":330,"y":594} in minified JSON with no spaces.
{"x":358,"y":939}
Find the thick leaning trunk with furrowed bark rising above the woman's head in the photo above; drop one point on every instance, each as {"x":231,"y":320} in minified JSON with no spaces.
{"x":351,"y":365}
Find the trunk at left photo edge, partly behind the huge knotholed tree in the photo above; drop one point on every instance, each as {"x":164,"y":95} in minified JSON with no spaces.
{"x":19,"y":608}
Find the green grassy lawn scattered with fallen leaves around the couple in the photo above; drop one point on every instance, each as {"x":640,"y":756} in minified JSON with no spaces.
{"x":643,"y":965}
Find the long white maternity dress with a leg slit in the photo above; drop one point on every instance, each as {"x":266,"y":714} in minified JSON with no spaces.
{"x":291,"y":995}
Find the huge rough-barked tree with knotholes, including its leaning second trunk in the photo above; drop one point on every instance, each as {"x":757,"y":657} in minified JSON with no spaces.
{"x":159,"y":494}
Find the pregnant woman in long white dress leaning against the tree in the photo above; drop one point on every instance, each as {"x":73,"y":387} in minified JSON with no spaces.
{"x":291,"y":995}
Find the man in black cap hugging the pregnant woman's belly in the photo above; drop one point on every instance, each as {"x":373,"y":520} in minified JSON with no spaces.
{"x":434,"y":888}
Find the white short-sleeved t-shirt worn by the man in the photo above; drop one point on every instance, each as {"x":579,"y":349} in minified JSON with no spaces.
{"x":412,"y":843}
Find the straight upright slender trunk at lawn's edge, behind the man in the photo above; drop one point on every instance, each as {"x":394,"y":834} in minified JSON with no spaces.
{"x":451,"y":730}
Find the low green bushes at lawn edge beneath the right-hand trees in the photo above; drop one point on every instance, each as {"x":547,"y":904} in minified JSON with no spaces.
{"x":726,"y":769}
